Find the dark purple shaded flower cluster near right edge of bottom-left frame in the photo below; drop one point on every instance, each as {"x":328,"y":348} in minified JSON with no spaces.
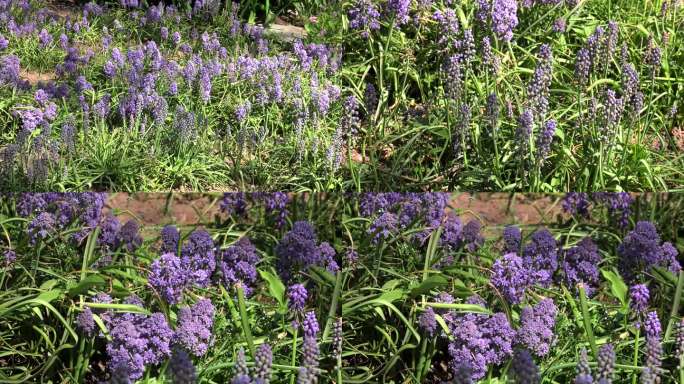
{"x":299,"y":249}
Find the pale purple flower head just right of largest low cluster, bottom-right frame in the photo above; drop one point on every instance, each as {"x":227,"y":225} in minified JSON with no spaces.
{"x":536,"y":327}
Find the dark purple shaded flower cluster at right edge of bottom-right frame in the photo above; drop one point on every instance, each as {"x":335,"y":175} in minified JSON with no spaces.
{"x":641,"y":250}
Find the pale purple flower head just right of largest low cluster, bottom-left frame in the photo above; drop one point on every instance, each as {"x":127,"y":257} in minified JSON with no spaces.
{"x":194,"y":327}
